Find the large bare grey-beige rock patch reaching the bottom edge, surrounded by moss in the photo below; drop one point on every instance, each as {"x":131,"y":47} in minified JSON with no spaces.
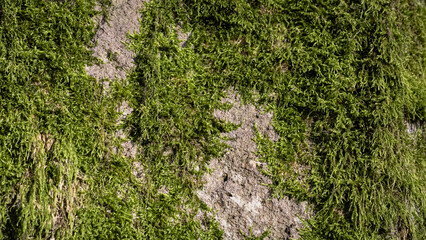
{"x":235,"y":189}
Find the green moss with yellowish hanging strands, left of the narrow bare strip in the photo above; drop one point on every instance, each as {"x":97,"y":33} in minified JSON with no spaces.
{"x":54,"y":121}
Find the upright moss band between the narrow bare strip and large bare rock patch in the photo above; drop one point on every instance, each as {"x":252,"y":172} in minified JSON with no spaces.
{"x":173,"y":123}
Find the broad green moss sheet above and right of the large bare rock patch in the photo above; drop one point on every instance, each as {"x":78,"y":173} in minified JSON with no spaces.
{"x":343,"y":78}
